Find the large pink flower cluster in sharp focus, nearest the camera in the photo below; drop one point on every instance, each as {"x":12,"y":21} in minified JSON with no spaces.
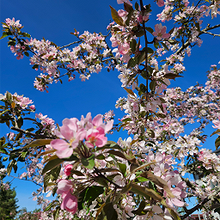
{"x":73,"y":132}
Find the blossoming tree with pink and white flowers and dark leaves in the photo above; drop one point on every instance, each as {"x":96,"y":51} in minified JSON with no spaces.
{"x":144,"y":176}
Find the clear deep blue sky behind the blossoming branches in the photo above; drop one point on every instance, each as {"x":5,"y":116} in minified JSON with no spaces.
{"x":54,"y":20}
